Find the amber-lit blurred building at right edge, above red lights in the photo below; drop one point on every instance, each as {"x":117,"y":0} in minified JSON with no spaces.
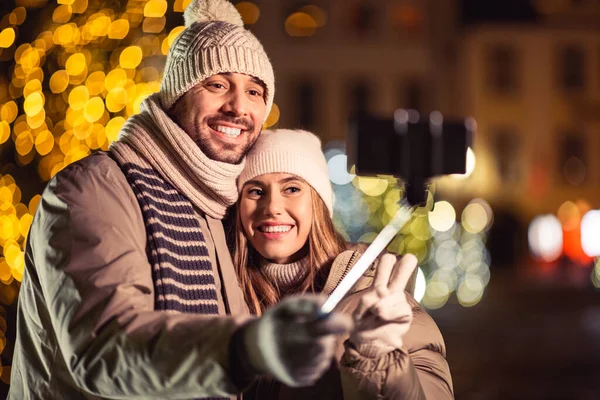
{"x":534,"y":90}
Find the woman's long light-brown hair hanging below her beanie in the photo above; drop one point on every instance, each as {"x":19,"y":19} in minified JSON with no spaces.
{"x":324,"y":244}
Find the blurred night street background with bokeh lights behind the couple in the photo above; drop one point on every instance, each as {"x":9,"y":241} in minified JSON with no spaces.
{"x":509,"y":264}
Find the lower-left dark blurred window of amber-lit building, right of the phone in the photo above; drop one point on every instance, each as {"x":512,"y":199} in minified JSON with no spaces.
{"x":506,"y":145}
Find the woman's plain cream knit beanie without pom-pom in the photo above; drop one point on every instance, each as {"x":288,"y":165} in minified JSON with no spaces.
{"x":293,"y":152}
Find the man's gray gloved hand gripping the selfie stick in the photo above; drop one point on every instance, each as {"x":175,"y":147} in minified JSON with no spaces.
{"x":291,"y":344}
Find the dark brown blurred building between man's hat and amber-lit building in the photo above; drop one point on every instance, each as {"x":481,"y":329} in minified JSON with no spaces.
{"x":334,"y":58}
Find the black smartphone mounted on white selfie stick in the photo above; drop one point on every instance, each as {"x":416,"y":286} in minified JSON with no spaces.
{"x":424,"y":150}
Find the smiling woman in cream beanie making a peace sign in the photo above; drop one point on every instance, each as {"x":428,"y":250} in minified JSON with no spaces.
{"x":286,"y":243}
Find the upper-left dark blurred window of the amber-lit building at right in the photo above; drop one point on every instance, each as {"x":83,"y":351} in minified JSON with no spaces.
{"x":502,"y":68}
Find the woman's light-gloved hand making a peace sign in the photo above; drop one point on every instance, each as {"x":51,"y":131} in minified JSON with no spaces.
{"x":383,"y":315}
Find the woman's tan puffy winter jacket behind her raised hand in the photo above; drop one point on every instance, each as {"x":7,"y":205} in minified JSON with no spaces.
{"x":418,"y":371}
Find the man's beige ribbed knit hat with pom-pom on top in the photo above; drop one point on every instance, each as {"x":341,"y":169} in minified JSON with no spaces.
{"x":214,"y":41}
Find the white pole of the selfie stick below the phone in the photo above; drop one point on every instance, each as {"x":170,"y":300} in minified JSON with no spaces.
{"x":381,"y":241}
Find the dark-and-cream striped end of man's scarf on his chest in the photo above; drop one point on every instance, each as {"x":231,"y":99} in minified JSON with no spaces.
{"x":181,"y":267}
